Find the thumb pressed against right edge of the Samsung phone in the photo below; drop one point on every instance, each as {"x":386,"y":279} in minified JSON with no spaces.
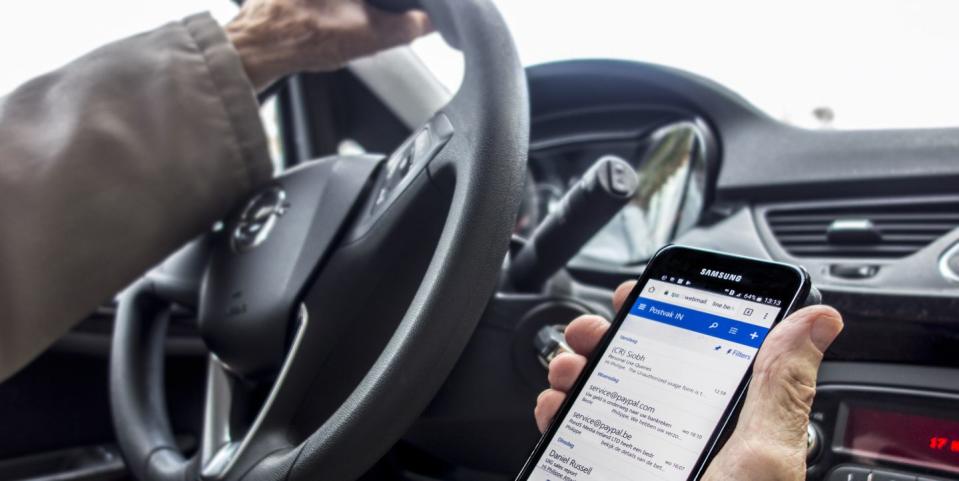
{"x":780,"y":396}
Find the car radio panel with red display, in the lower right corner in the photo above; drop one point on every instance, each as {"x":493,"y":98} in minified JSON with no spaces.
{"x":897,"y":423}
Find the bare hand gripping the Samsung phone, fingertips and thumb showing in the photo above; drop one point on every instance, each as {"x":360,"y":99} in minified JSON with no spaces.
{"x":769,"y":441}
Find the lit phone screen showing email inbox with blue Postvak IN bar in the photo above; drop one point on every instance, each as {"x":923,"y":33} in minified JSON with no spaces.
{"x":660,"y":388}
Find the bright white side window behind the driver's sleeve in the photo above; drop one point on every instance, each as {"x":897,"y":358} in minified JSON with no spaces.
{"x":40,"y":35}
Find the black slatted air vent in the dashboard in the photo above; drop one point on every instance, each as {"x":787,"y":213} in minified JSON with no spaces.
{"x":876,"y":231}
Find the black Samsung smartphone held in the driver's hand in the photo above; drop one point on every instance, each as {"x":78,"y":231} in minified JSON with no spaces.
{"x":658,"y":392}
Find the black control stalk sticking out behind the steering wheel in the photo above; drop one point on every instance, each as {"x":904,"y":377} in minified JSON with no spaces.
{"x":601,"y":193}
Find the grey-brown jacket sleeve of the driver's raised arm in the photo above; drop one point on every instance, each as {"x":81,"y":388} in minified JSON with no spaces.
{"x":109,"y":164}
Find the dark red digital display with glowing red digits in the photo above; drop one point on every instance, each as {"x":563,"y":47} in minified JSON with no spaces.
{"x":904,"y":438}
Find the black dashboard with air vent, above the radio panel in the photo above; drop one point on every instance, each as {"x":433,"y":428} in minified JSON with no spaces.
{"x":873,"y":215}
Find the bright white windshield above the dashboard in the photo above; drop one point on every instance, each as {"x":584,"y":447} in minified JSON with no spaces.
{"x":850,"y":64}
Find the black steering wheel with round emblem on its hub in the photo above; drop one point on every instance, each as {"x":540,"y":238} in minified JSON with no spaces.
{"x":336,"y":301}
